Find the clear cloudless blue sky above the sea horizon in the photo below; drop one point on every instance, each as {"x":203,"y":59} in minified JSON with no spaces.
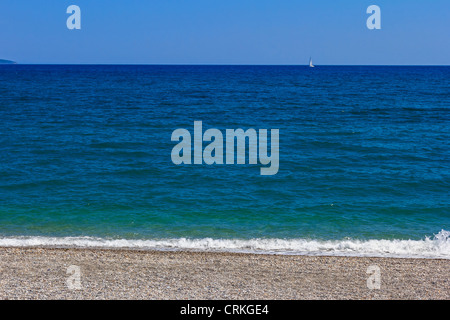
{"x":226,"y":32}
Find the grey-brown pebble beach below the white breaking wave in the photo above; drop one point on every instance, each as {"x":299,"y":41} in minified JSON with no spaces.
{"x":33,"y":273}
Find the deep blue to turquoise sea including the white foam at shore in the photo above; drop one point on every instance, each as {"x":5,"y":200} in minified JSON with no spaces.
{"x":364,"y":159}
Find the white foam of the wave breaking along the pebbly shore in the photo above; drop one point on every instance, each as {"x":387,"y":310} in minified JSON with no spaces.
{"x":436,"y":247}
